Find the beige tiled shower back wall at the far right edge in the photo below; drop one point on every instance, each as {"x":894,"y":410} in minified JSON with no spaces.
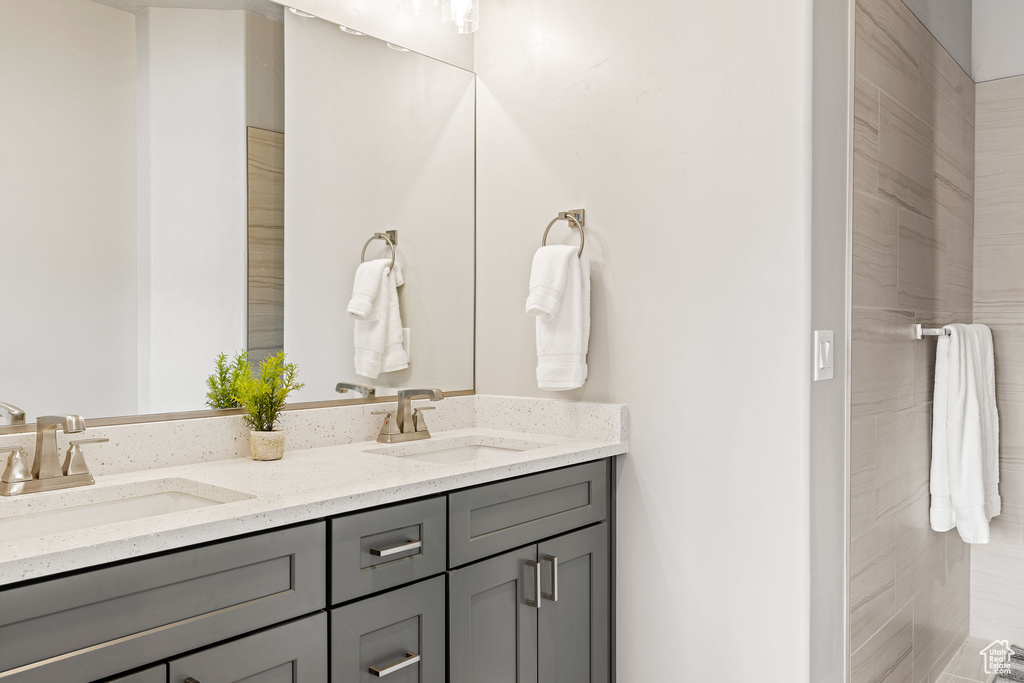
{"x":997,"y":584}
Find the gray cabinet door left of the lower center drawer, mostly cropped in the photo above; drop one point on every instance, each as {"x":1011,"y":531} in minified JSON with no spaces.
{"x":294,"y":653}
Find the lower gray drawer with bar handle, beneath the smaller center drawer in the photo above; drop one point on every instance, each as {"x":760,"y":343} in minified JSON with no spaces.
{"x":399,"y":635}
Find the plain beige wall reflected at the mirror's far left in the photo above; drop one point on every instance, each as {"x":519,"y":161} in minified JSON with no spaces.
{"x":68,"y":208}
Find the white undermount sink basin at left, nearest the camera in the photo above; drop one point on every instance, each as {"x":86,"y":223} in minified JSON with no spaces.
{"x":89,"y":507}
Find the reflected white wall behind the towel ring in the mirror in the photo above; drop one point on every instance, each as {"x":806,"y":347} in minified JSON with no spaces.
{"x":376,"y":140}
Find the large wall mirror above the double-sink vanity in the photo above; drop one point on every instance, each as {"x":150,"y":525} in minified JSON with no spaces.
{"x":143,"y":202}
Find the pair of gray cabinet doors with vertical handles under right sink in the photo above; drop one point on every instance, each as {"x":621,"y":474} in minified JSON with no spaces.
{"x":538,"y":615}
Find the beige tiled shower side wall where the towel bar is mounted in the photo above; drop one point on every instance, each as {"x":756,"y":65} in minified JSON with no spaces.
{"x":913,"y":259}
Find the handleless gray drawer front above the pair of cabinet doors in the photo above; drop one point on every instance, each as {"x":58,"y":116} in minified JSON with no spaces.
{"x":489,"y":521}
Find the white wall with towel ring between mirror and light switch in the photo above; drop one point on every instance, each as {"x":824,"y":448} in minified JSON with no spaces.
{"x":685,"y":131}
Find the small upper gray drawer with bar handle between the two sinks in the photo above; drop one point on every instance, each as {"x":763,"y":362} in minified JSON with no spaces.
{"x":381,"y":549}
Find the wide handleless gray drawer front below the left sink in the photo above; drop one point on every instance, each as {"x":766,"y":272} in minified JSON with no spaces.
{"x":97,"y":624}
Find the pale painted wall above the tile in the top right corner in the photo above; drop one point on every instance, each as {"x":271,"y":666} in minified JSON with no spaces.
{"x":999,"y":39}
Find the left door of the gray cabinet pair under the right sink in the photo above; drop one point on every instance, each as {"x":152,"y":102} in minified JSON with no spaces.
{"x":493,"y":628}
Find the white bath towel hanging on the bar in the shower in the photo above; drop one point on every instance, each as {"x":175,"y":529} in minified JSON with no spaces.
{"x":965,"y":435}
